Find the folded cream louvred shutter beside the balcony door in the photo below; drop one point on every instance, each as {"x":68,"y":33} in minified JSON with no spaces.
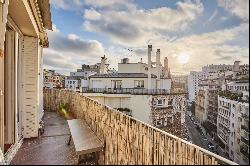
{"x":30,"y":87}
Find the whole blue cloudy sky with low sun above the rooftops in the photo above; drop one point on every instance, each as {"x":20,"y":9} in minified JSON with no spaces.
{"x":191,"y":33}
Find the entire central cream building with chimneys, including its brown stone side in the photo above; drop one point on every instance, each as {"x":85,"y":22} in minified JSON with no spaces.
{"x":132,"y":84}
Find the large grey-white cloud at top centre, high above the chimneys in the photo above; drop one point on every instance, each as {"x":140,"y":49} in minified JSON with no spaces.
{"x":135,"y":27}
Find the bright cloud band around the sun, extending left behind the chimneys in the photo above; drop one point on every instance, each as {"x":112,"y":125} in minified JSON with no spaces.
{"x":207,"y":48}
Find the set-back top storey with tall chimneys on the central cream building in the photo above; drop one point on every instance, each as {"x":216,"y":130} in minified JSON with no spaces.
{"x":139,"y":75}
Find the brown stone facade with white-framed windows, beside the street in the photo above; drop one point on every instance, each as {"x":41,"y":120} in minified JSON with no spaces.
{"x":168,"y":113}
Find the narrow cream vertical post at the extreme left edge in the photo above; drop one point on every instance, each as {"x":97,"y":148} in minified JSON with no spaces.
{"x":3,"y":20}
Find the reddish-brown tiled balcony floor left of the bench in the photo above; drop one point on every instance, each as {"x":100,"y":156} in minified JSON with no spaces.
{"x":51,"y":148}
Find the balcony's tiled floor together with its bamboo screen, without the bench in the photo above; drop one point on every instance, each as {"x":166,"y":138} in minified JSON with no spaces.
{"x":127,"y":140}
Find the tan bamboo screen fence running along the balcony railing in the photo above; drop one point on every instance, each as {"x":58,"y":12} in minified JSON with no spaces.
{"x":127,"y":140}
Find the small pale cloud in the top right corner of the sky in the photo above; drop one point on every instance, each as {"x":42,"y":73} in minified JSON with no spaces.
{"x":239,"y":8}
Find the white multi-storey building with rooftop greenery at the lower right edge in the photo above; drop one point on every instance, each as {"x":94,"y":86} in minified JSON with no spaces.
{"x":233,"y":122}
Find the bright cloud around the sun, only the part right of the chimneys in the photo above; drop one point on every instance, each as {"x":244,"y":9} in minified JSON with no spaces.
{"x":208,"y":48}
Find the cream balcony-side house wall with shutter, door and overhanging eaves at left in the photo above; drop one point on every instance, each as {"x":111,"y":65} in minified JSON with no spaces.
{"x":23,"y":25}
